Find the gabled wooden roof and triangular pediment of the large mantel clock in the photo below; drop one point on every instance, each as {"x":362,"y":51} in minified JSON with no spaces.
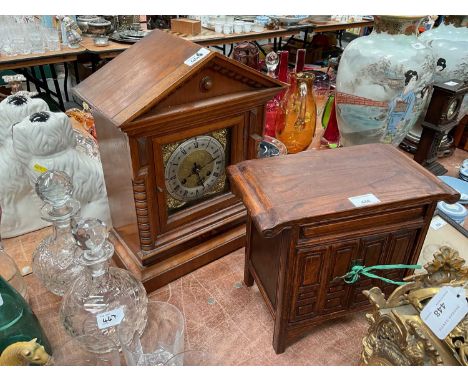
{"x":157,"y":73}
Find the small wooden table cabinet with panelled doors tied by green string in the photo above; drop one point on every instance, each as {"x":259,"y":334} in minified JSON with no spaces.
{"x":303,"y":232}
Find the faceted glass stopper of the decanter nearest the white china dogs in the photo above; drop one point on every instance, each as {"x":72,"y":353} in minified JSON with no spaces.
{"x":54,"y":187}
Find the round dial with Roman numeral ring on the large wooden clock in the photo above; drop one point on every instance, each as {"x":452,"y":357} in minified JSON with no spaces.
{"x":194,"y":168}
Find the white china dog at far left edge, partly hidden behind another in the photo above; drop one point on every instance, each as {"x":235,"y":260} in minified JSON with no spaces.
{"x":21,"y":206}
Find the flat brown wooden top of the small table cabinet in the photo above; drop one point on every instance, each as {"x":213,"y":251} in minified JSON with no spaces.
{"x":293,"y":188}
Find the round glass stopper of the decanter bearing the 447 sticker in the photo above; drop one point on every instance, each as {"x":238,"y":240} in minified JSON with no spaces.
{"x":90,"y":234}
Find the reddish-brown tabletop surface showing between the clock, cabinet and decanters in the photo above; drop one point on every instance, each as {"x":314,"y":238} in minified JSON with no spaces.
{"x":223,"y":317}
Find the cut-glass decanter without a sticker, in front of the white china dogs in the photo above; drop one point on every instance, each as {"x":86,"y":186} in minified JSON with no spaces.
{"x":55,"y":260}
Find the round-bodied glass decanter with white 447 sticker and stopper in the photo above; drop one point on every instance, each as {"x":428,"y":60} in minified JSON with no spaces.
{"x":102,"y":297}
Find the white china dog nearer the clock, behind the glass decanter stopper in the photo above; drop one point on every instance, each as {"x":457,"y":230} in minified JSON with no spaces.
{"x":46,"y":140}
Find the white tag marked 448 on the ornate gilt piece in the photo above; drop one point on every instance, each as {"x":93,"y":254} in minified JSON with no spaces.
{"x":445,"y":310}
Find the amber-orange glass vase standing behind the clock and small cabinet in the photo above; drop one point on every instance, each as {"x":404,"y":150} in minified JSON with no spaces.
{"x":297,"y":114}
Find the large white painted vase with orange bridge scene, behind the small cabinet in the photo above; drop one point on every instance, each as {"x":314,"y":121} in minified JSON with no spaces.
{"x":381,"y":81}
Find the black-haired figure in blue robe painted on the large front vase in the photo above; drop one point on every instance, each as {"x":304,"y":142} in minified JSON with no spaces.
{"x":400,"y":109}
